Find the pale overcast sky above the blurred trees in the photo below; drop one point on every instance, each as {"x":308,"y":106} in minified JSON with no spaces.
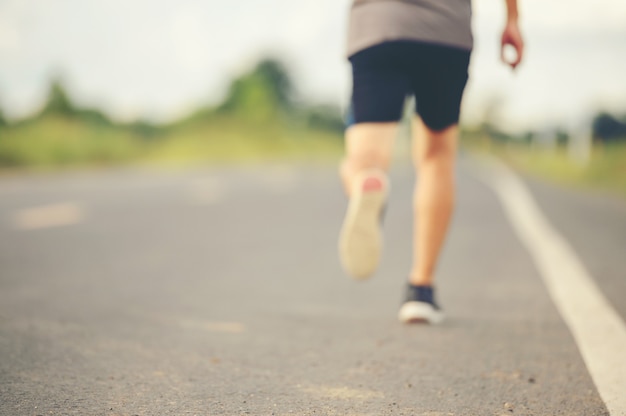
{"x":160,"y":59}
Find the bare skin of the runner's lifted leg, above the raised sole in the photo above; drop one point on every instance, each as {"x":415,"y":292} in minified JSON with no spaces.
{"x":368,"y":146}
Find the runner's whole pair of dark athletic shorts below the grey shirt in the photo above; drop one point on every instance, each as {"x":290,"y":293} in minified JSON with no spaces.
{"x":385,"y":74}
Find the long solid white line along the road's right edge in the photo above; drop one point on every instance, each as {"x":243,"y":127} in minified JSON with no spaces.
{"x":597,"y":328}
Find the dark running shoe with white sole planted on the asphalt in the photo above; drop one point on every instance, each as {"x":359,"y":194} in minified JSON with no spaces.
{"x":420,"y":307}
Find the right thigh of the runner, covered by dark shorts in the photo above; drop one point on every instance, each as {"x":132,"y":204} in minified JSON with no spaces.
{"x":438,"y":81}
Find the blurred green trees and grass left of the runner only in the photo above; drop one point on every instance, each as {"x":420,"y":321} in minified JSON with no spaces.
{"x":260,"y":119}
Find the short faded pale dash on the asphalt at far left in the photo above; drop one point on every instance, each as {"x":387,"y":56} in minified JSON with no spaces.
{"x":48,"y":216}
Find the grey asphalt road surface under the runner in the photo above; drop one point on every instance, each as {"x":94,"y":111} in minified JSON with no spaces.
{"x":219,"y":292}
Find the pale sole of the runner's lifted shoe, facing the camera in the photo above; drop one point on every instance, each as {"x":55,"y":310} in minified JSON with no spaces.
{"x":360,"y":240}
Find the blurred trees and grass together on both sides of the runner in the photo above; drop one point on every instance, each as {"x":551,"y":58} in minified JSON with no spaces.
{"x":262,"y":119}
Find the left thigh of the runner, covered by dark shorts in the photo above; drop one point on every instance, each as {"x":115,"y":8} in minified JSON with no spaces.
{"x":380,"y":85}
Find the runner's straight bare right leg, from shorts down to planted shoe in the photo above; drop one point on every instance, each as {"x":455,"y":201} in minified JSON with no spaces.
{"x":434,"y":154}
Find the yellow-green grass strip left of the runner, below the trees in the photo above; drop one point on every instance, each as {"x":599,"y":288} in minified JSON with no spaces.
{"x":57,"y":142}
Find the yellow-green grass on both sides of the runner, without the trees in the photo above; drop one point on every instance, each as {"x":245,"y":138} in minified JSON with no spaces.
{"x":55,"y":142}
